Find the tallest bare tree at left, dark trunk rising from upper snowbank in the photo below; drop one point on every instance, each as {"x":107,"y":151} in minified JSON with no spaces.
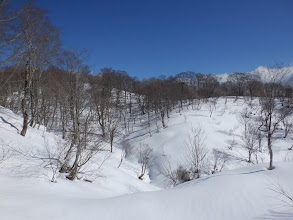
{"x":40,"y":42}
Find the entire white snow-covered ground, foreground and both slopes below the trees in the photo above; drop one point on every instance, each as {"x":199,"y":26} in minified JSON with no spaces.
{"x":241,"y":191}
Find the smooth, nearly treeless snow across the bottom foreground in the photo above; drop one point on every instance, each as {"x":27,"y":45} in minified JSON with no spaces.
{"x":239,"y":194}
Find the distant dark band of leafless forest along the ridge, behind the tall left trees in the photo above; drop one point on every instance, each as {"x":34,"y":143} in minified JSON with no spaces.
{"x":54,"y":90}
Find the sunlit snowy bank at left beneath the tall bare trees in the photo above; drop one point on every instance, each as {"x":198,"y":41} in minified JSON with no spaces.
{"x":28,"y":163}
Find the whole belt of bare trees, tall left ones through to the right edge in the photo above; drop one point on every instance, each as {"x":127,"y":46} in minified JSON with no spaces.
{"x":52,"y":86}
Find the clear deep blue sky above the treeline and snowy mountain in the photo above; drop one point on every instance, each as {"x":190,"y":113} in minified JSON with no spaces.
{"x":153,"y":37}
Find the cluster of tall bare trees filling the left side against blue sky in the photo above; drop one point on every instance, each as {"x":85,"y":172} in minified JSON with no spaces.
{"x":46,"y":82}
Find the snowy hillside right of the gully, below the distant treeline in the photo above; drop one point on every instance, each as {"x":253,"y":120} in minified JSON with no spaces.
{"x":222,"y":131}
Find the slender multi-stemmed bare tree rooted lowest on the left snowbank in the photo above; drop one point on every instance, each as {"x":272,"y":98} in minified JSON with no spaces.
{"x":79,"y":105}
